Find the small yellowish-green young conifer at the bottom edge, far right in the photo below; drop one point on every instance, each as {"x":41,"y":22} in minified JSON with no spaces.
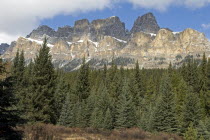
{"x":191,"y":133}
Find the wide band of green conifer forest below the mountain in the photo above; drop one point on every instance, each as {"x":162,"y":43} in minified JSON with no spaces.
{"x":156,"y":100}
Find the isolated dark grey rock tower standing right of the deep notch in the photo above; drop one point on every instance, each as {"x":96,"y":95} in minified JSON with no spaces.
{"x":146,"y":23}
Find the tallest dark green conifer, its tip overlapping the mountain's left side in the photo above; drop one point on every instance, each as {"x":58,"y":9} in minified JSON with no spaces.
{"x":42,"y":88}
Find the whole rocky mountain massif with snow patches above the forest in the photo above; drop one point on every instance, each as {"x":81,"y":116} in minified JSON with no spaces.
{"x":104,"y":40}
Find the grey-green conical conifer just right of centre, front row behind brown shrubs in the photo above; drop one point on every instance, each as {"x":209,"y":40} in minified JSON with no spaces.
{"x":125,"y":115}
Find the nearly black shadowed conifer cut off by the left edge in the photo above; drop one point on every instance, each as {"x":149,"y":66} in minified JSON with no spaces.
{"x":8,"y":116}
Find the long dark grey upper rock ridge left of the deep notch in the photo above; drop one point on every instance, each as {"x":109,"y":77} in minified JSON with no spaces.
{"x":97,"y":29}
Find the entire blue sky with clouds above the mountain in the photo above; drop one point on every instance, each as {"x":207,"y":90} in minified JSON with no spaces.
{"x":20,"y":17}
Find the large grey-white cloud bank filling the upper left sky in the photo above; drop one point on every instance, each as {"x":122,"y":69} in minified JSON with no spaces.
{"x":21,"y":16}
